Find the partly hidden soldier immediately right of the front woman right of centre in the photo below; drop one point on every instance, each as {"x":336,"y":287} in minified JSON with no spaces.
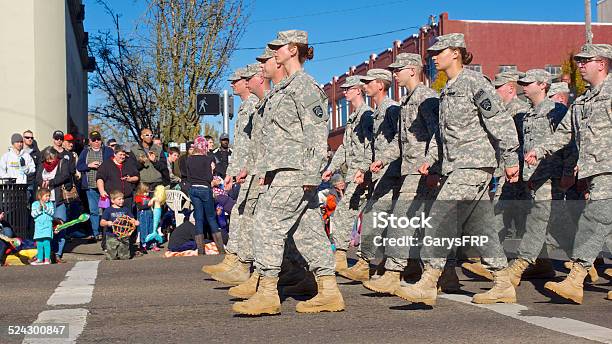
{"x":506,"y":196}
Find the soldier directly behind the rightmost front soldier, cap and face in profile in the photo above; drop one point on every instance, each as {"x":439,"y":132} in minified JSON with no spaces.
{"x":539,"y":123}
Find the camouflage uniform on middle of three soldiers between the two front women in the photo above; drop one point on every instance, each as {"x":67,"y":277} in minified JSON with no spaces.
{"x":387,"y":188}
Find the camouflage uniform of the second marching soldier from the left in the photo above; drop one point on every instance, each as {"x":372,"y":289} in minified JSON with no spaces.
{"x":239,"y":241}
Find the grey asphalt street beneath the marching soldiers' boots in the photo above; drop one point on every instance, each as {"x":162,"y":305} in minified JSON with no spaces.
{"x":166,"y":300}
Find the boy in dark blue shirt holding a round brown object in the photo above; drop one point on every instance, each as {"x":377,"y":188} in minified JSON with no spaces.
{"x":116,"y":247}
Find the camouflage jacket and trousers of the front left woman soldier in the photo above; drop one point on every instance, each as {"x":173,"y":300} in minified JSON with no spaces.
{"x":294,"y":133}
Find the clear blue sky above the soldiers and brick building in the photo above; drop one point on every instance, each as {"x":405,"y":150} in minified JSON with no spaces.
{"x":326,"y":20}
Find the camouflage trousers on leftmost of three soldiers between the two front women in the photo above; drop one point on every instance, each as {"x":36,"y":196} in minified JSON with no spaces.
{"x":346,"y":214}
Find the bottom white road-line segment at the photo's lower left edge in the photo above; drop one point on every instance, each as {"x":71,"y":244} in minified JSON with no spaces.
{"x":75,"y":318}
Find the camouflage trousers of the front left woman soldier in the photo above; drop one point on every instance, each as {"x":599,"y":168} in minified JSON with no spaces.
{"x":288,"y":211}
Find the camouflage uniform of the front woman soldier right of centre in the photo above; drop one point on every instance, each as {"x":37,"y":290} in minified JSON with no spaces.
{"x":470,"y":113}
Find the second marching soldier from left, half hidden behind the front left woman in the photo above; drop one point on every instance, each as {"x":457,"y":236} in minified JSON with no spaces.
{"x":240,"y":169}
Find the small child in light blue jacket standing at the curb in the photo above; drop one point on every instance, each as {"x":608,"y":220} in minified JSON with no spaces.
{"x":42,"y":212}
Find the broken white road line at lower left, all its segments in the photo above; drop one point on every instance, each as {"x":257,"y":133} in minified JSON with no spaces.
{"x":76,"y":289}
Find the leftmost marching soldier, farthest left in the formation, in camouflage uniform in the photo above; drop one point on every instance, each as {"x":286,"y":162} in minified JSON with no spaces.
{"x":236,"y":261}
